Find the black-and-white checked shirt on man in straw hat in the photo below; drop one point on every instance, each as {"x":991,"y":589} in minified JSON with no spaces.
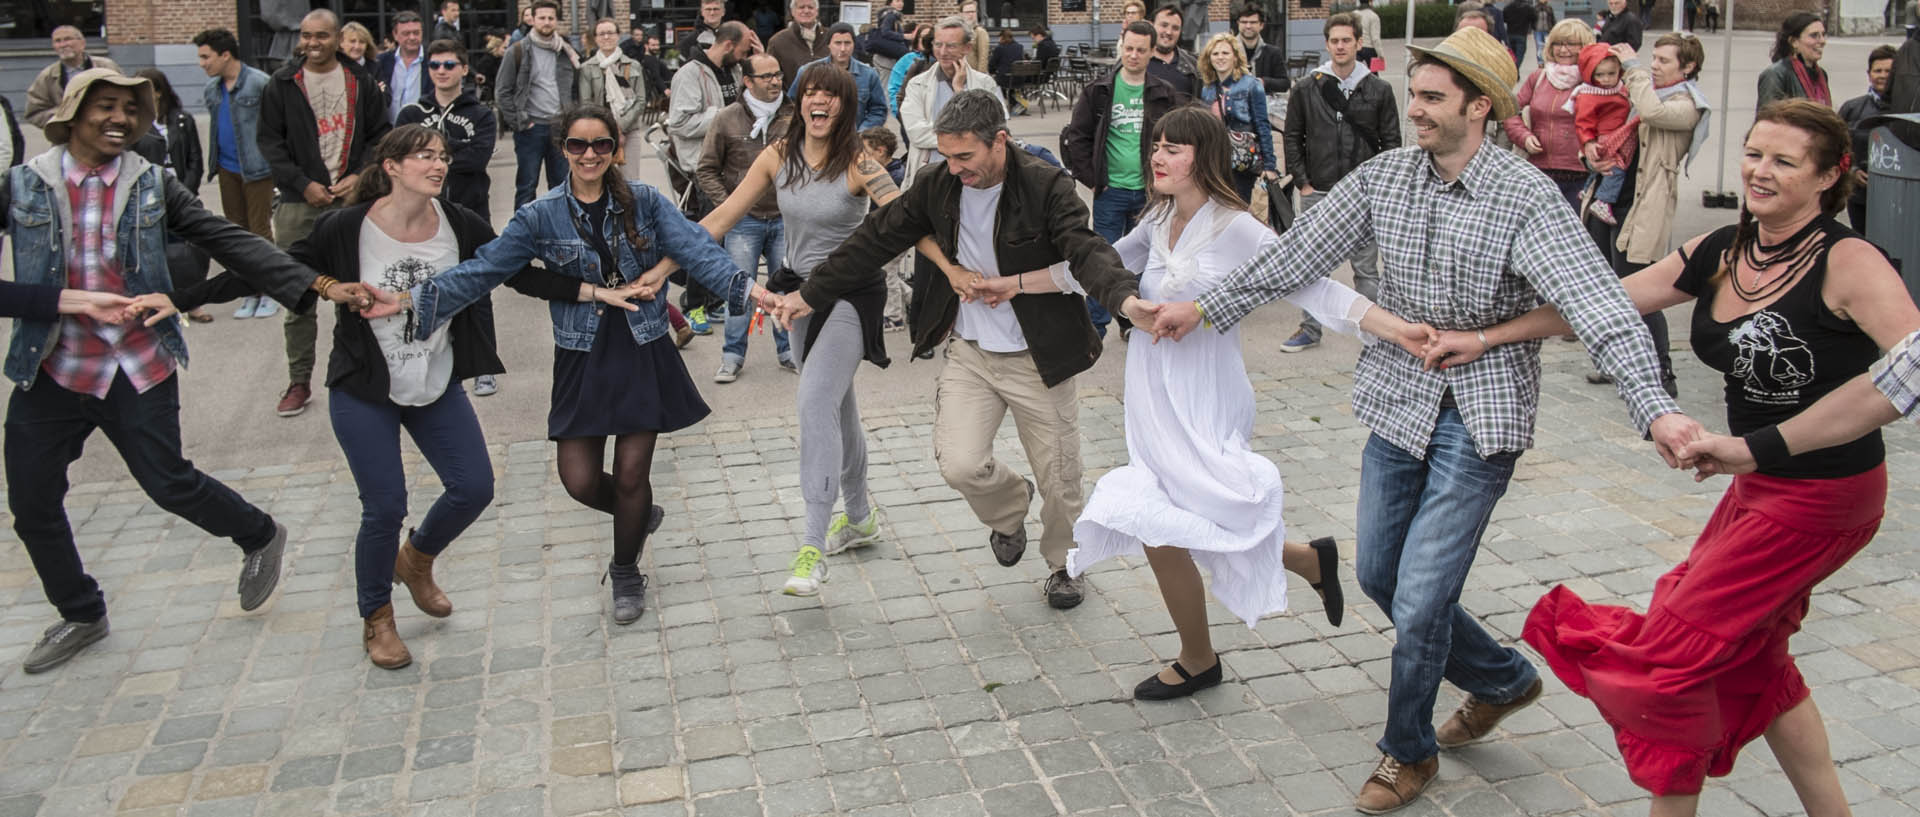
{"x":1458,"y":256}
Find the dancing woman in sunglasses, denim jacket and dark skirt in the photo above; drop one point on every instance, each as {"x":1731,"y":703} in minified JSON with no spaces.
{"x":612,"y":379}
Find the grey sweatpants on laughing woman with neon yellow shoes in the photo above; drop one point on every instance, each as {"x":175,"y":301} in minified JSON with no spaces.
{"x":832,"y":440}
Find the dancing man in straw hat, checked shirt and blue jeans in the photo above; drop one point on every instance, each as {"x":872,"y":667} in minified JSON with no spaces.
{"x":1470,"y":237}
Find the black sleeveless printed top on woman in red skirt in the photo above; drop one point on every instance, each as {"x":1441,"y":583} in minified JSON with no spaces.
{"x":1785,"y":358}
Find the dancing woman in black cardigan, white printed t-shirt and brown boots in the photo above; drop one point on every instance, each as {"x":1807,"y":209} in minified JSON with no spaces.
{"x":383,"y":377}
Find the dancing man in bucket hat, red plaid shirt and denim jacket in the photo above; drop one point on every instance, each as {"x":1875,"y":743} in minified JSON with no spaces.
{"x":95,"y":216}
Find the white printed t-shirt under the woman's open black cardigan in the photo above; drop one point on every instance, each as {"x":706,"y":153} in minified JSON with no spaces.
{"x":418,"y":369}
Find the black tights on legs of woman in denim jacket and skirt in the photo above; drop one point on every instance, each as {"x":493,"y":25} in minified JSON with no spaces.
{"x":627,"y":494}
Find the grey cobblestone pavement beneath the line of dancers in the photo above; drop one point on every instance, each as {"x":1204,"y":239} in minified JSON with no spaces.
{"x":924,"y":682}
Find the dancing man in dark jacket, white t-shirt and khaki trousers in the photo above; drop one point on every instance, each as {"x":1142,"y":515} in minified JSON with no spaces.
{"x":1009,"y":223}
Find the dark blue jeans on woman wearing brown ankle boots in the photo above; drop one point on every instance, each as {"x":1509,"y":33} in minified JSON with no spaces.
{"x":448,"y":436}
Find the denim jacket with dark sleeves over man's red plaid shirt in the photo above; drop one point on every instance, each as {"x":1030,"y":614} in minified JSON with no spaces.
{"x":147,"y":208}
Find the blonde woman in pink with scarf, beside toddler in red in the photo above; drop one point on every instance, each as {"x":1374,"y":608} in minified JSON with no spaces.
{"x":1547,"y":133}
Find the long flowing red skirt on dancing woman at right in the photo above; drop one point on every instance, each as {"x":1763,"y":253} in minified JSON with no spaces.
{"x":1708,"y":668}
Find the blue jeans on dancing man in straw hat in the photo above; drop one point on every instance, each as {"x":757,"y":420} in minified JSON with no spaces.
{"x":1418,"y":532}
